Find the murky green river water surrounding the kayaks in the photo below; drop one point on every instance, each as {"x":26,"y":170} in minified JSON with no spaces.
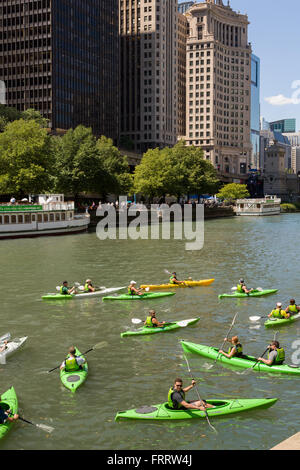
{"x":132,"y":372}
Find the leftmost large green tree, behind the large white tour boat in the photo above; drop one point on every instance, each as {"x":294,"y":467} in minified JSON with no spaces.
{"x":25,"y":158}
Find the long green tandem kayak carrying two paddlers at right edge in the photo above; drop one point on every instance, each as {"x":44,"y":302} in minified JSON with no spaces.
{"x":245,"y":362}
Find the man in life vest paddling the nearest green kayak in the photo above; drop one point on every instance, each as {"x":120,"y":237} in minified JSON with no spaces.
{"x":176,"y":397}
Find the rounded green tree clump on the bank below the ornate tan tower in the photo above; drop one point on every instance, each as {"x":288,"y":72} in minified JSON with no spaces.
{"x":176,"y":171}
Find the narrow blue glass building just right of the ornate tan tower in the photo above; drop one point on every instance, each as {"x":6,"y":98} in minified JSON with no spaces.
{"x":255,"y":111}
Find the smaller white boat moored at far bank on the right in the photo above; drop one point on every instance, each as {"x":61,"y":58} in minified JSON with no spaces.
{"x":269,"y":205}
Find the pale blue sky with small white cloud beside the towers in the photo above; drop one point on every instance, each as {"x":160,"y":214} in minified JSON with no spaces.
{"x":274,"y":32}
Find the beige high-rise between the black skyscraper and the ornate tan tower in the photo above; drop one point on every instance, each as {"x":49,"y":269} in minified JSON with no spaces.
{"x":149,"y":68}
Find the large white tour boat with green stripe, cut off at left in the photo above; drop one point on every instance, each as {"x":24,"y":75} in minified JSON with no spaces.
{"x":50,"y":215}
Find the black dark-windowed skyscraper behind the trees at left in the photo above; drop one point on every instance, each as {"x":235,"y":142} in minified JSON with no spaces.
{"x":59,"y":57}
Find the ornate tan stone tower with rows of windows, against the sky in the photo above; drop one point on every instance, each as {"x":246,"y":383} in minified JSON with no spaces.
{"x":219,"y":86}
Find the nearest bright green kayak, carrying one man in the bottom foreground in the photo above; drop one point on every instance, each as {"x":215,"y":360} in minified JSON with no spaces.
{"x":222,"y":408}
